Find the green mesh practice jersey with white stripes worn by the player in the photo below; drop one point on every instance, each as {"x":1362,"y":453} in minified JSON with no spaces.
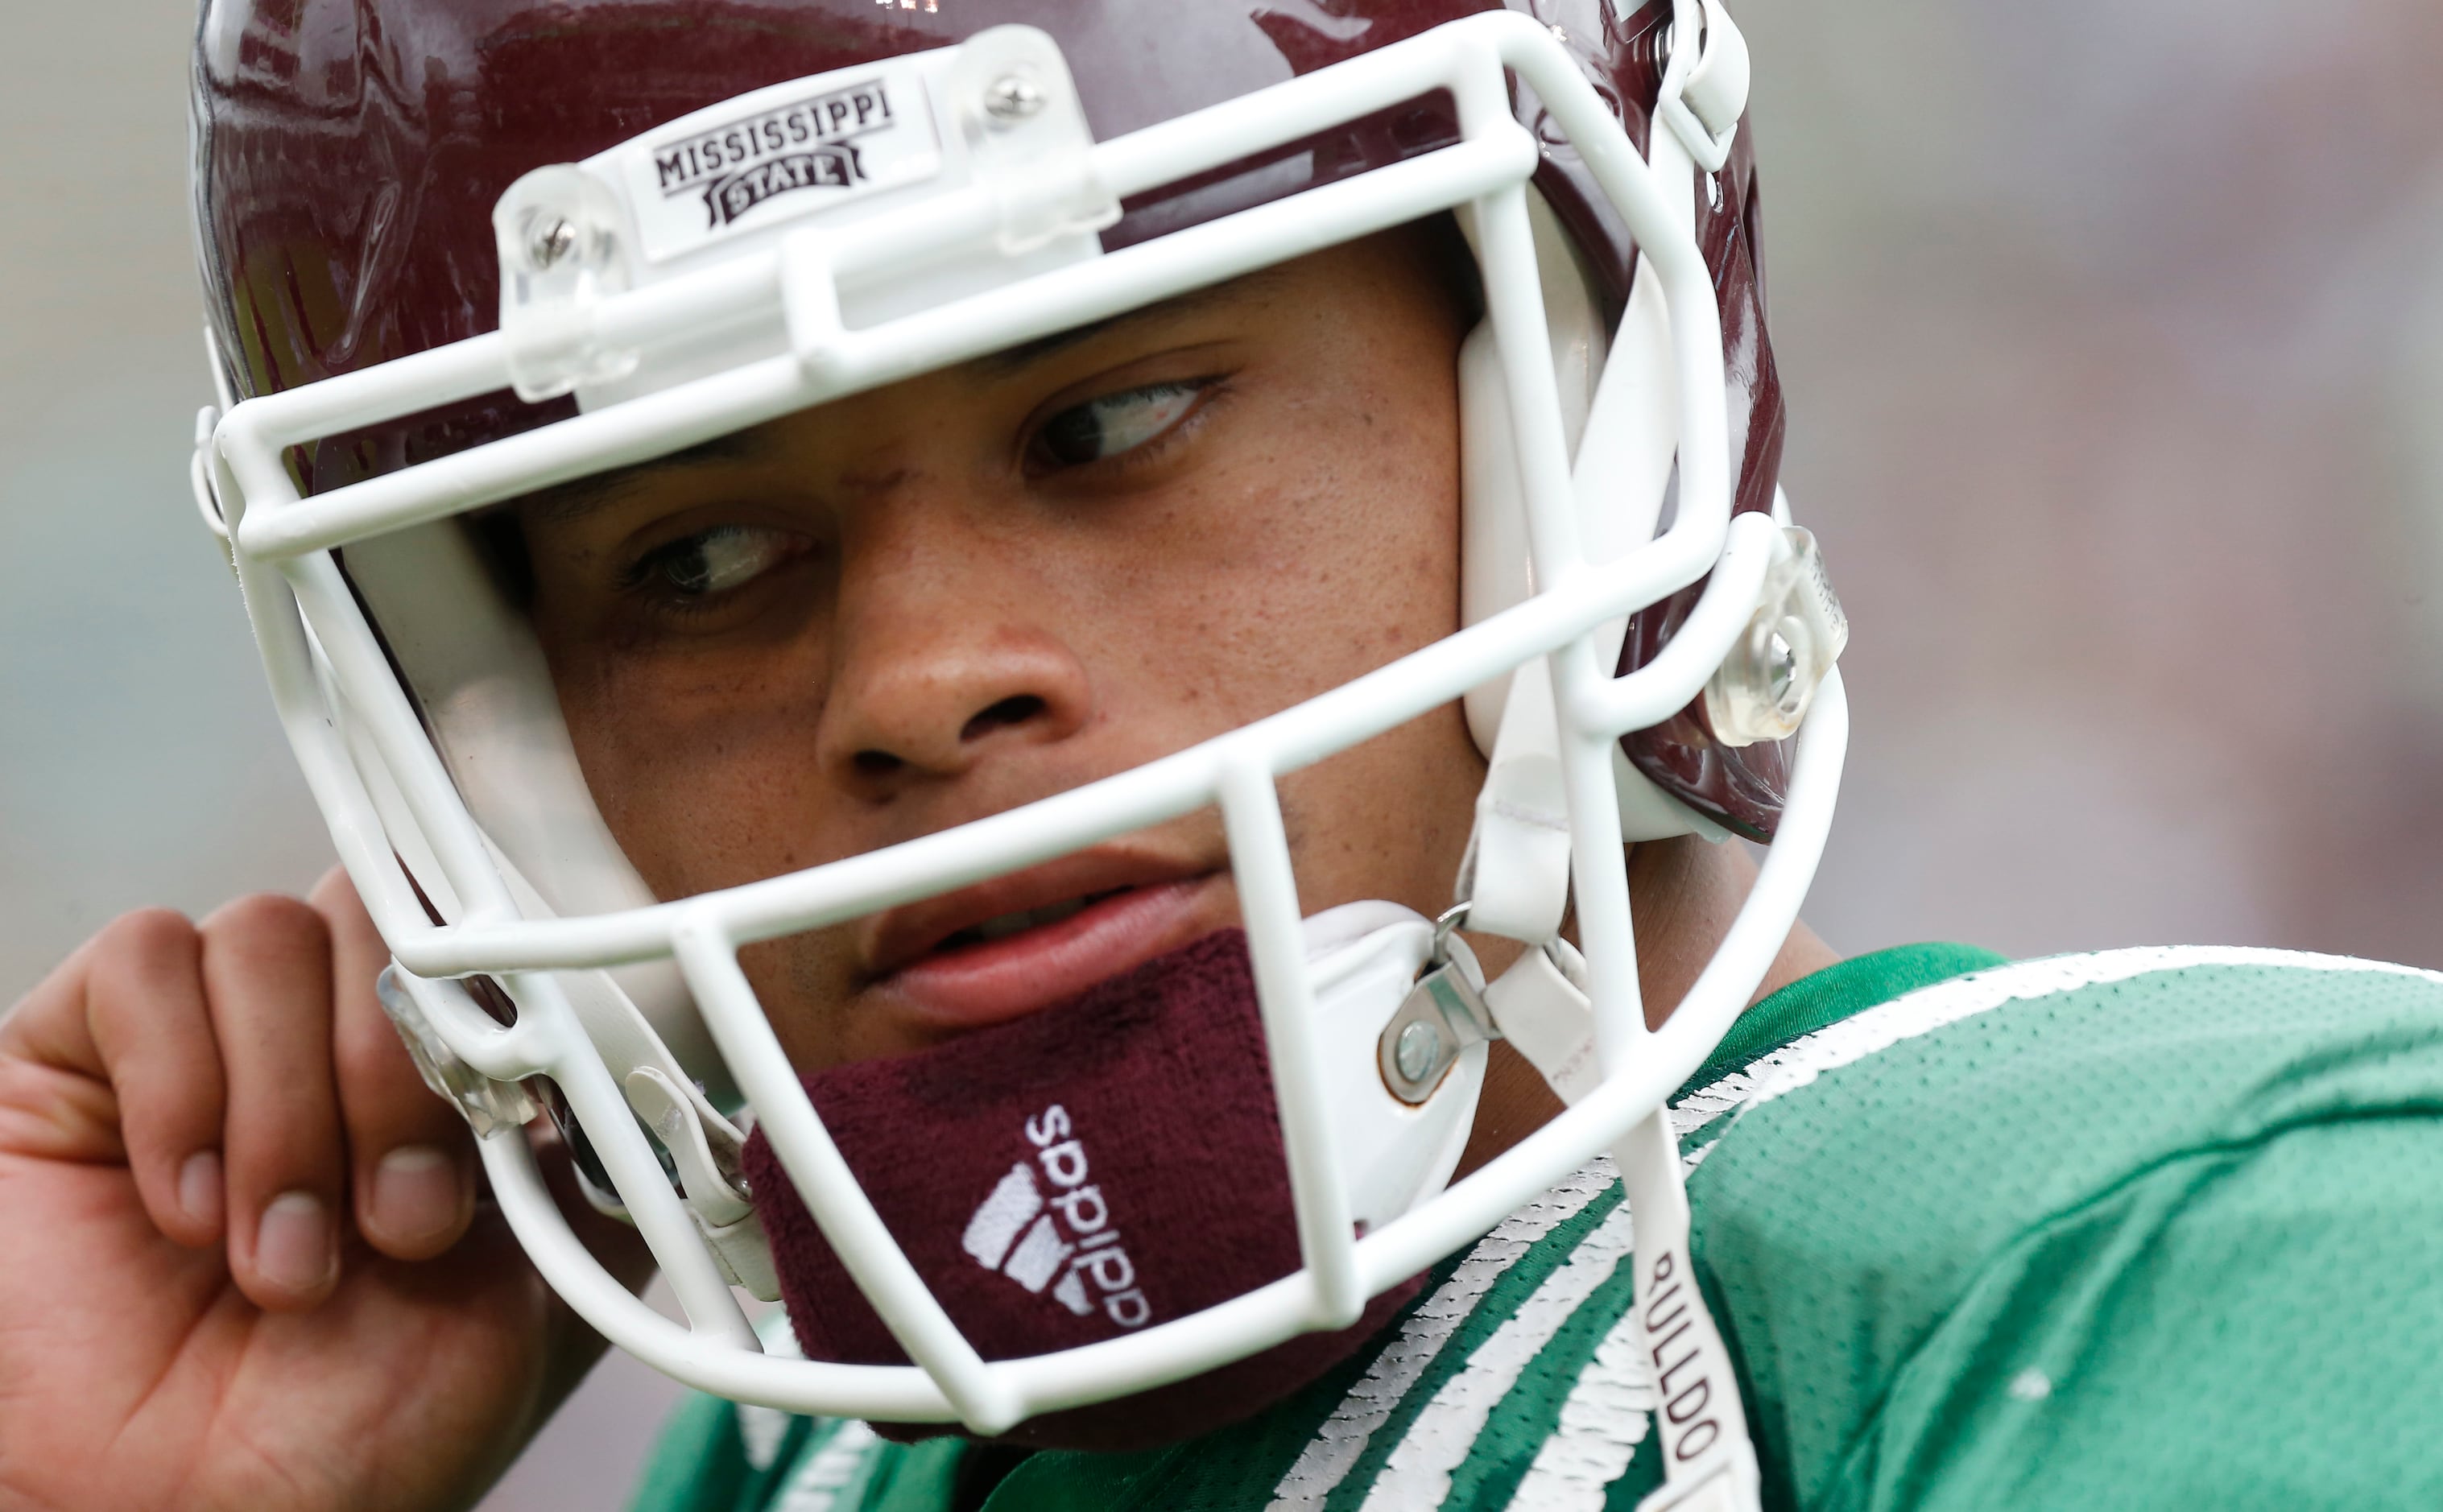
{"x":2132,"y":1230}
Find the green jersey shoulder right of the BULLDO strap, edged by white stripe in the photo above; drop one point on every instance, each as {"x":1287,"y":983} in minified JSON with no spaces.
{"x":1990,"y":1240}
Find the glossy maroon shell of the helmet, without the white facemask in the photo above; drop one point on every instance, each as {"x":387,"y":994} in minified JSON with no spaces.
{"x":348,"y":158}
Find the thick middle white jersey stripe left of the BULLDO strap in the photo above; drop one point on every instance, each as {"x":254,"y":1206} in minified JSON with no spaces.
{"x":1418,"y":1472}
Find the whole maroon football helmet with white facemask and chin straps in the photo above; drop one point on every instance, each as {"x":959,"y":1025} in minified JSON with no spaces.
{"x":463,"y":253}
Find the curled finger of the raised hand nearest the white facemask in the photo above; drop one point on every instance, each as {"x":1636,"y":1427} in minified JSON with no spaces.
{"x":409,"y":1152}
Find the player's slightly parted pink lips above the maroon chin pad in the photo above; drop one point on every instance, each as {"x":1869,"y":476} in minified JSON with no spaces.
{"x":1152,"y":907}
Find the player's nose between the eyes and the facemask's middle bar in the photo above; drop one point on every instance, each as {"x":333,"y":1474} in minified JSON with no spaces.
{"x":944,"y":658}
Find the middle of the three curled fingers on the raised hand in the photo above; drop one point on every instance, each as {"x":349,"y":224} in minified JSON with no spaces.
{"x":268,"y":978}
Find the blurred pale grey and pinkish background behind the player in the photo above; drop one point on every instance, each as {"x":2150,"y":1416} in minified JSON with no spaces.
{"x":2114,"y":341}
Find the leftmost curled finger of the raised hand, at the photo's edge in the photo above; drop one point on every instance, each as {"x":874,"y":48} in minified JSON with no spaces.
{"x":116,"y":1059}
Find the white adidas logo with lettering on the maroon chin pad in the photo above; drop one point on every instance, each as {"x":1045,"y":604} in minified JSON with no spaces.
{"x":1064,"y":1242}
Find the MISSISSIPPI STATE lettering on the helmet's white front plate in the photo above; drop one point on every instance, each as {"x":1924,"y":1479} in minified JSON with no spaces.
{"x":790,"y":148}
